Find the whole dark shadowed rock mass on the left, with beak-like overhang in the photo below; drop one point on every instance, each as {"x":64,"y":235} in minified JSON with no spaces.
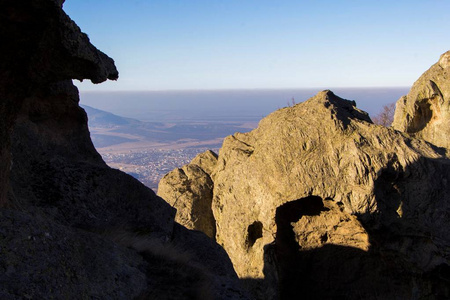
{"x":70,"y":226}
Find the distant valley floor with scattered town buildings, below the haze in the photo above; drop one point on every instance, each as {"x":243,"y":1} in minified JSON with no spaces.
{"x":149,"y":150}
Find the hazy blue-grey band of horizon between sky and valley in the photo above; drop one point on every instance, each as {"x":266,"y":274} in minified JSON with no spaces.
{"x":224,"y":105}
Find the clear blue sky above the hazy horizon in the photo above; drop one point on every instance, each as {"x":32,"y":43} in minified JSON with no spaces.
{"x":246,"y":44}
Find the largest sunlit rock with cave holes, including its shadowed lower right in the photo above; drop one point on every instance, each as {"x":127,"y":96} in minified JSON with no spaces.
{"x":320,"y":201}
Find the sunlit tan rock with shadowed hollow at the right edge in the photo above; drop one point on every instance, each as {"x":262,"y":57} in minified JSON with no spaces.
{"x":425,"y":112}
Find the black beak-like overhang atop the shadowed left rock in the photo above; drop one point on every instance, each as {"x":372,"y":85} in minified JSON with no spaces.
{"x":40,"y":45}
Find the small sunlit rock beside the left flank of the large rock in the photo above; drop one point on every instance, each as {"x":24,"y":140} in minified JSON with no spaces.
{"x":189,"y":190}
